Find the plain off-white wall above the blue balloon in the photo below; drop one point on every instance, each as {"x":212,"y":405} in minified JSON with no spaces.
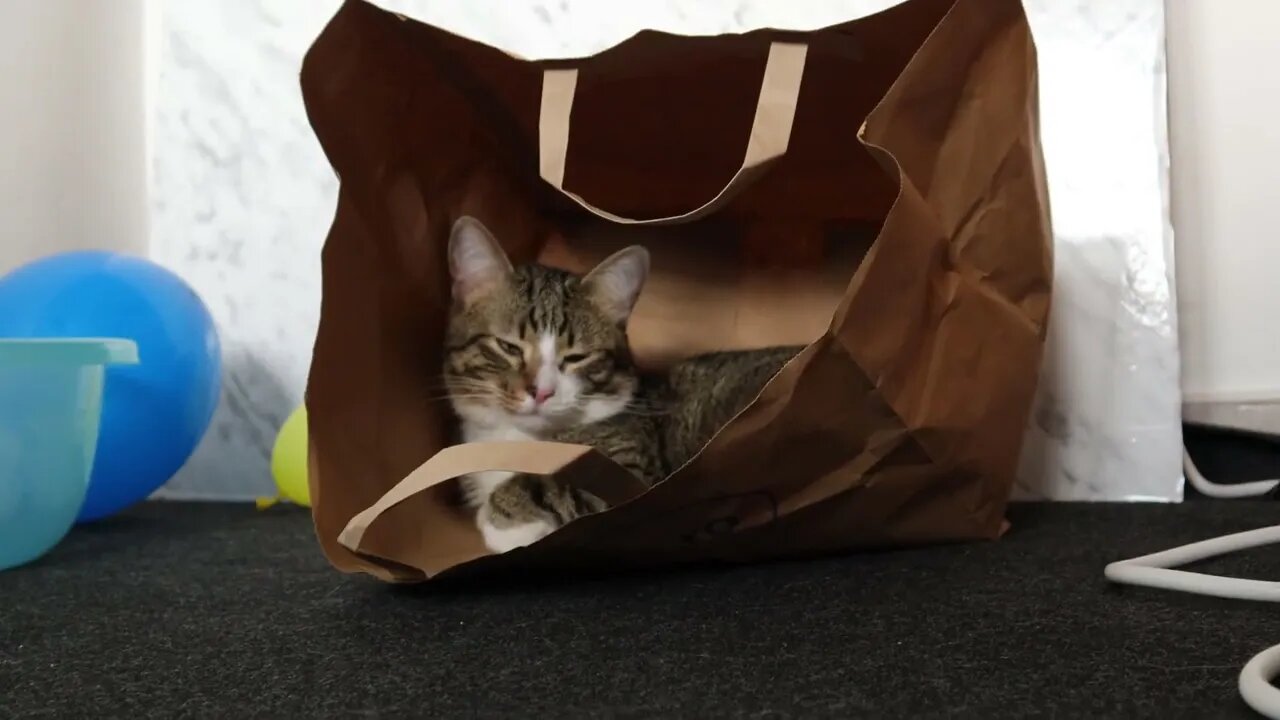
{"x":72,"y":127}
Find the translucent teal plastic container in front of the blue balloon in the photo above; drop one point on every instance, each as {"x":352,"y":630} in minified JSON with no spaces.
{"x":51,"y":407}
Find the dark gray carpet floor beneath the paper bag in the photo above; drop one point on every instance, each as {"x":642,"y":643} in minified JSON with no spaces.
{"x":223,"y":612}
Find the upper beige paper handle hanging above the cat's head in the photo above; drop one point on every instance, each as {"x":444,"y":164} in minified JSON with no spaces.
{"x":771,"y":131}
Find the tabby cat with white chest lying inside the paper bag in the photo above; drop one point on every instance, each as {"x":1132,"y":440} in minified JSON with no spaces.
{"x":534,"y":353}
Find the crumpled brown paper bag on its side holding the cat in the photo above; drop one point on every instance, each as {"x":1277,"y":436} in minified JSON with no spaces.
{"x":872,"y":190}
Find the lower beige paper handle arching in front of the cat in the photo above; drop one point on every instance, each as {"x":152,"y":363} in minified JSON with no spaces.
{"x":455,"y":462}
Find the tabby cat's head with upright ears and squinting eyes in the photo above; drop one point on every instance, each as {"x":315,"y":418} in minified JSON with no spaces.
{"x":536,"y":348}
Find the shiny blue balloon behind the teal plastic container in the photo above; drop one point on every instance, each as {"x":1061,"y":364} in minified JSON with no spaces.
{"x":156,"y":413}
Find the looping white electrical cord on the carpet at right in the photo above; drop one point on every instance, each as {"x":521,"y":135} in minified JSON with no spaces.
{"x":1155,"y":571}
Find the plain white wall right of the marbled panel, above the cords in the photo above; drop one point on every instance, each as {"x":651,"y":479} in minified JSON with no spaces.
{"x":1224,"y":92}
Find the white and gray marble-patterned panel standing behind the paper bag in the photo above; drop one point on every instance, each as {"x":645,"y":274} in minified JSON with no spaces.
{"x":241,"y":200}
